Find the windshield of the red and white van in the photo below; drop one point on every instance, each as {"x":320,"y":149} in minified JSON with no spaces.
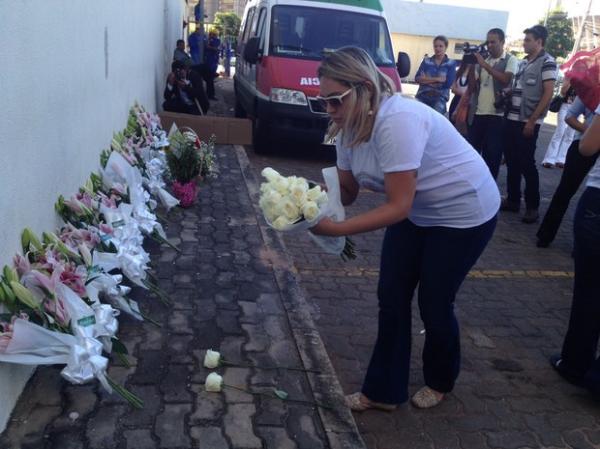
{"x":306,"y":33}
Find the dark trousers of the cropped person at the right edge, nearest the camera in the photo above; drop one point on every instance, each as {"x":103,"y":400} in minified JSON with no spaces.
{"x":581,"y":341}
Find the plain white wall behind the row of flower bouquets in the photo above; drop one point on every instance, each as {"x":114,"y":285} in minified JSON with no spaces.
{"x":69,"y":71}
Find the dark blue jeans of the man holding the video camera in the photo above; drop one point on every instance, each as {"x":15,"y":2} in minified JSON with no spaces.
{"x":486,"y":134}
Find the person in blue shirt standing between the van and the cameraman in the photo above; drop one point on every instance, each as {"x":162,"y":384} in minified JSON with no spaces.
{"x":435,"y":76}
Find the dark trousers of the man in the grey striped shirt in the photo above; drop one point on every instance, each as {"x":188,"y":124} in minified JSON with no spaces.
{"x":520,"y":163}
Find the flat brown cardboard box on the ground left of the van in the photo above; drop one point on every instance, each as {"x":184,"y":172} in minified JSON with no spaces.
{"x":227,"y":130}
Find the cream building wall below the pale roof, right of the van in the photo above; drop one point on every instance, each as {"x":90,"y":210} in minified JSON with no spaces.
{"x":418,"y":46}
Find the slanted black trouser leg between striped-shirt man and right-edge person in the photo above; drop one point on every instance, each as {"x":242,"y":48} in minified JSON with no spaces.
{"x":576,"y":169}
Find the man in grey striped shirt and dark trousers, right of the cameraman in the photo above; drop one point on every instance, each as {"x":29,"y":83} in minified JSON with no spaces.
{"x":532,"y":91}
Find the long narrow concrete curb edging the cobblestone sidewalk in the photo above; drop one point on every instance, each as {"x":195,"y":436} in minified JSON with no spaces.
{"x":338,"y":423}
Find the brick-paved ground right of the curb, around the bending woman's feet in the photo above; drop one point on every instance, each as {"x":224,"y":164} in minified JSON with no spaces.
{"x":513,"y":311}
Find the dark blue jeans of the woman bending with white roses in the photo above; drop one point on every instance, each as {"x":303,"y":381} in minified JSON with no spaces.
{"x":438,"y":260}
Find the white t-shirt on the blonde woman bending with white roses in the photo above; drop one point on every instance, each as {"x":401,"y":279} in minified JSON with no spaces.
{"x":454,"y":185}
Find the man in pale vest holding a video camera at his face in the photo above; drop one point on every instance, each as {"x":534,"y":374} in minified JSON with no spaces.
{"x":495,"y":70}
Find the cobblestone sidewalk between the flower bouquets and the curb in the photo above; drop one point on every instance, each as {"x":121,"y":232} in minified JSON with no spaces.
{"x":232,"y":291}
